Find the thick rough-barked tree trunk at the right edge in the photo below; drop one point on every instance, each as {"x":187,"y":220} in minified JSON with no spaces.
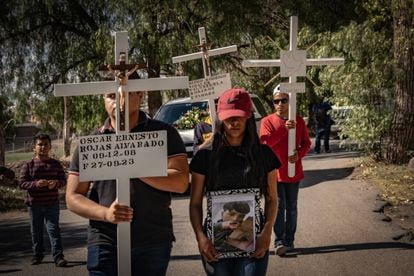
{"x":402,"y":127}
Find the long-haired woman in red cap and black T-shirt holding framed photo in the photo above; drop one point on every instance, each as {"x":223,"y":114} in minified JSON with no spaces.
{"x":234,"y":159}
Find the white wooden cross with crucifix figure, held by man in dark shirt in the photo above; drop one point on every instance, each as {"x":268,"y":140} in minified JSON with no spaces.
{"x":122,"y":83}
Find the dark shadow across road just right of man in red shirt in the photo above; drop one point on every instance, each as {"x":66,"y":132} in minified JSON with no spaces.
{"x":314,"y":177}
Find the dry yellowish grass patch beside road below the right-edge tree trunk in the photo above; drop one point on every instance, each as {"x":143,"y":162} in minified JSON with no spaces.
{"x":396,"y":182}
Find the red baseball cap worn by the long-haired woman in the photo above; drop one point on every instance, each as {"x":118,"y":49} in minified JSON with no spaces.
{"x":234,"y":102}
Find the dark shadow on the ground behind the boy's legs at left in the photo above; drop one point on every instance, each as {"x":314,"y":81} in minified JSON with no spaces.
{"x":16,"y":244}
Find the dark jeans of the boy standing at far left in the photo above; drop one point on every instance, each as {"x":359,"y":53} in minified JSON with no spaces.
{"x":49,"y":215}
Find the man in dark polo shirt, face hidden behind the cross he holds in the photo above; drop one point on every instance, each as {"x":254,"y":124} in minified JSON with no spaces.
{"x":149,"y":214}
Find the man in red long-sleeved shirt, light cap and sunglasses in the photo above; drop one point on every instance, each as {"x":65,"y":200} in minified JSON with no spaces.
{"x":274,"y":132}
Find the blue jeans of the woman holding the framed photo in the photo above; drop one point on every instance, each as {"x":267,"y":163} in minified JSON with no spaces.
{"x":237,"y":266}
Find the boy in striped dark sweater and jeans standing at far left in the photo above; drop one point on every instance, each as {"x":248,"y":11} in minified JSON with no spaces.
{"x":41,"y":178}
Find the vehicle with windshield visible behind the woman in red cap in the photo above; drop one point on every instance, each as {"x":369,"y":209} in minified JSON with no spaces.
{"x":171,"y":112}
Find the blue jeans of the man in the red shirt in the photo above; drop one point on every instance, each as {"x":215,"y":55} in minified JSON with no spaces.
{"x":287,"y":213}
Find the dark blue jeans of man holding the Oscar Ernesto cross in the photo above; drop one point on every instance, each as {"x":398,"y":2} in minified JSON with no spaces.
{"x":147,"y":260}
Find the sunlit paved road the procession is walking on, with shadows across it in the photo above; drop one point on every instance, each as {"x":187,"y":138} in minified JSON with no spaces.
{"x":338,"y":234}
